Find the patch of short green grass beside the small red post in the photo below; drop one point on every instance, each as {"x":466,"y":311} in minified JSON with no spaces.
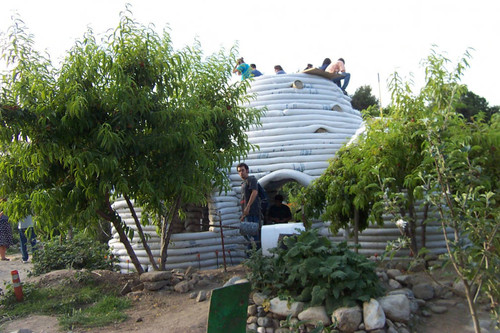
{"x":83,"y":304}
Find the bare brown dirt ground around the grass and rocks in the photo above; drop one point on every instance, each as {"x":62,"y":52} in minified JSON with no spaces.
{"x":167,"y":311}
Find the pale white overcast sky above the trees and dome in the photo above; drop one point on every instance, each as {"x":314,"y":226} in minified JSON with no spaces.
{"x":376,"y":38}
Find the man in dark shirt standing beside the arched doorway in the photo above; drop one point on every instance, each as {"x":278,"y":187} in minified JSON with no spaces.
{"x":250,"y":204}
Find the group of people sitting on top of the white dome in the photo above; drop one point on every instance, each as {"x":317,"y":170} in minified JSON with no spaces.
{"x":247,"y":71}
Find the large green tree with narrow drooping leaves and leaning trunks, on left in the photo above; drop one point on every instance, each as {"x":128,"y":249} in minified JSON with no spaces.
{"x":126,"y":116}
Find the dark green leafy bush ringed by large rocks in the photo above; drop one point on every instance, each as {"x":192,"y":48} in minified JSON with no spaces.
{"x":310,"y":268}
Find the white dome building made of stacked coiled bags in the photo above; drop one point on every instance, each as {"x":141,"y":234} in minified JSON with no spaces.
{"x":307,"y":119}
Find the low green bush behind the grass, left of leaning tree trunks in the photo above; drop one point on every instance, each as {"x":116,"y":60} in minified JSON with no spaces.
{"x":79,"y":252}
